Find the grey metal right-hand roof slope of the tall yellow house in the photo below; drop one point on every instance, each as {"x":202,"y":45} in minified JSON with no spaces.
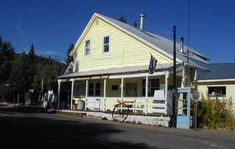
{"x":194,"y":58}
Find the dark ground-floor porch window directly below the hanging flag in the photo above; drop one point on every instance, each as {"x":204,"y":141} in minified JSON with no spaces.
{"x":153,"y":84}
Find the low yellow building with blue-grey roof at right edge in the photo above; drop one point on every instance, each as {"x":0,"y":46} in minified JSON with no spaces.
{"x":218,"y":82}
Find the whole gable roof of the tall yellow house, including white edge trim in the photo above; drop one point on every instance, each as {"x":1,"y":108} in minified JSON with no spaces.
{"x":159,"y":43}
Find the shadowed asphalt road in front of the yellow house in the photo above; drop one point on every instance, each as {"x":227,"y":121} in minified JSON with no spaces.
{"x":39,"y":129}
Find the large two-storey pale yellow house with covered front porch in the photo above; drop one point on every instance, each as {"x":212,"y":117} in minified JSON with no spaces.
{"x":111,"y":62}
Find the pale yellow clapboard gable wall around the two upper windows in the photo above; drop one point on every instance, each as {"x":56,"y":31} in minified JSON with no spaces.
{"x":124,"y":49}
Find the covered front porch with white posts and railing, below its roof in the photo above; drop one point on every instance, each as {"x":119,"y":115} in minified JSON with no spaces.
{"x":103,"y":92}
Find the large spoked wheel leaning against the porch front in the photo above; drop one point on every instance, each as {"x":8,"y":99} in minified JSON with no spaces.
{"x":120,"y":112}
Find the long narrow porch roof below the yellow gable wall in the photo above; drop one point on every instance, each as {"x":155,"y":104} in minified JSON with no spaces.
{"x":112,"y":71}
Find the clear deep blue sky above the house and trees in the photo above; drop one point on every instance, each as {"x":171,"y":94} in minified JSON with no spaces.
{"x":52,"y":25}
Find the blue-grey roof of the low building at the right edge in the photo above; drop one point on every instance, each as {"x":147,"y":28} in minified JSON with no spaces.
{"x":218,"y":71}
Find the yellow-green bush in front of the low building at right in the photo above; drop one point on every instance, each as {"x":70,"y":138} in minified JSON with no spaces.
{"x":214,"y":113}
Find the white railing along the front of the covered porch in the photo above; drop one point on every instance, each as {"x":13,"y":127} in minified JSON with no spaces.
{"x":137,"y":104}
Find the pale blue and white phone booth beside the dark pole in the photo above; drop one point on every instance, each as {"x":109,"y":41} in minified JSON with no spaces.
{"x":184,"y":117}
